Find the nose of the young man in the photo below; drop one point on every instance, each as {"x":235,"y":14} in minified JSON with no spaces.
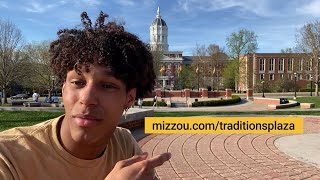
{"x":89,"y":95}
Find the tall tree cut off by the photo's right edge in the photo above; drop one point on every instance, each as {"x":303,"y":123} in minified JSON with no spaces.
{"x":308,"y":41}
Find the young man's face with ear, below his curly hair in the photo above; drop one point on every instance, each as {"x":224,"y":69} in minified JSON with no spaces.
{"x":94,"y":101}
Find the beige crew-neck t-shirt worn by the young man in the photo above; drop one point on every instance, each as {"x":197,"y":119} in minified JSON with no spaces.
{"x":34,"y":152}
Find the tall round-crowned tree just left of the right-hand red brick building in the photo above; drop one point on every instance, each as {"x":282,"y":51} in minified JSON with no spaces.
{"x":241,"y":43}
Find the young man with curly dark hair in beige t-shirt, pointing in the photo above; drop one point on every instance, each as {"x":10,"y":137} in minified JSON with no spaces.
{"x":102,"y":69}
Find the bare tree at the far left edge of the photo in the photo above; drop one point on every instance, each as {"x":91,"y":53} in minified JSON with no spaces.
{"x":12,"y":58}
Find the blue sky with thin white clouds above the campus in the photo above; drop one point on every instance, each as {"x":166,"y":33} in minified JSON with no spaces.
{"x":190,"y":22}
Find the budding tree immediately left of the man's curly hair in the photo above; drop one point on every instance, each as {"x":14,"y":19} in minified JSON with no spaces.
{"x":42,"y":74}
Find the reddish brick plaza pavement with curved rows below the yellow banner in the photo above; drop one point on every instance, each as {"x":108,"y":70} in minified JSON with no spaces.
{"x":229,"y":156}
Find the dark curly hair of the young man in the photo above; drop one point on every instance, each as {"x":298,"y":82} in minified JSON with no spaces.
{"x":109,"y":45}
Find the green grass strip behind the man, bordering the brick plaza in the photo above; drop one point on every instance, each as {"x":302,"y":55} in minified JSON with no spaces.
{"x":10,"y":119}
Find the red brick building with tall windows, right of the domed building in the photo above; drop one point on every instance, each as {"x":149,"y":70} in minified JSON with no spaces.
{"x":271,"y":67}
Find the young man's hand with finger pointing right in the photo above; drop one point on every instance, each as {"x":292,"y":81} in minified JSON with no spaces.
{"x":137,"y":167}
